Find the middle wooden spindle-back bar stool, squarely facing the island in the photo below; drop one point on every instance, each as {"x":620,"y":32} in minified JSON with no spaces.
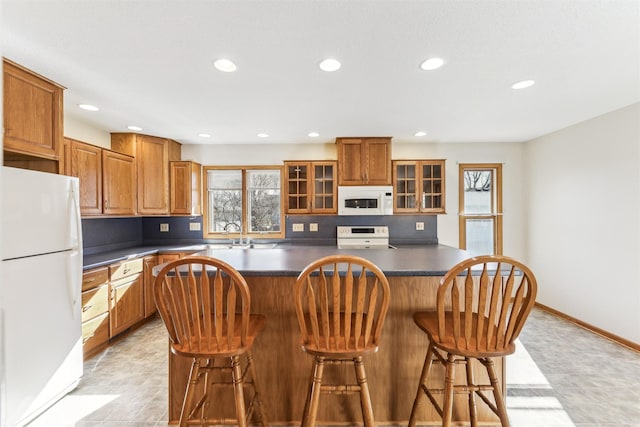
{"x":341,"y":303}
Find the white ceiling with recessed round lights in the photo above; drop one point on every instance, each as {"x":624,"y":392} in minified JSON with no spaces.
{"x":149,"y":63}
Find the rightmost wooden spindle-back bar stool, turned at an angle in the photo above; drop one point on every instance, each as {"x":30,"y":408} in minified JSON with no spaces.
{"x":482,"y":304}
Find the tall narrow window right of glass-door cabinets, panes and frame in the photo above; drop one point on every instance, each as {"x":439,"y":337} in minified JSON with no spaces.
{"x":481,"y":208}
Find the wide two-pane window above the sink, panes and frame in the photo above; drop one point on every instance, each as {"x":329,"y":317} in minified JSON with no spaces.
{"x":245,"y":201}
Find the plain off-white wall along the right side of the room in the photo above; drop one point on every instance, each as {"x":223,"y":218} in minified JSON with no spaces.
{"x":583,"y":222}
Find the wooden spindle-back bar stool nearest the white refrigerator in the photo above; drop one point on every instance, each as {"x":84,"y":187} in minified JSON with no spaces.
{"x":205,"y":305}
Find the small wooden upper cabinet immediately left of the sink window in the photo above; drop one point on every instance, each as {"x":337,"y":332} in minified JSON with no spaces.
{"x":186,"y":178}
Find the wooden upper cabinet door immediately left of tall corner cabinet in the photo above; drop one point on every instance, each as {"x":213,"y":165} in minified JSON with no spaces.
{"x":118,"y":178}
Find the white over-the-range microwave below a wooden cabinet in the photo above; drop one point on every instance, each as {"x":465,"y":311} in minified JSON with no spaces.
{"x":365,"y":200}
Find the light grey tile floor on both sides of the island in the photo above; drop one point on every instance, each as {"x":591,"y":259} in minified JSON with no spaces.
{"x":561,"y":376}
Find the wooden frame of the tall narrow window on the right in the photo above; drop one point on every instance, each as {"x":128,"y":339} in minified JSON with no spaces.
{"x":496,"y":209}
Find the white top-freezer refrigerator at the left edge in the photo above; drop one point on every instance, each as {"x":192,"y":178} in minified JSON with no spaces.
{"x":40,"y":286}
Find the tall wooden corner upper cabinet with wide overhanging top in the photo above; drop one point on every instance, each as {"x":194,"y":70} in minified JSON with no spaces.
{"x":153,"y":155}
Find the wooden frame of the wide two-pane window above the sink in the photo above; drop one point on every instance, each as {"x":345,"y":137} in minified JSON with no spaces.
{"x":206,"y":234}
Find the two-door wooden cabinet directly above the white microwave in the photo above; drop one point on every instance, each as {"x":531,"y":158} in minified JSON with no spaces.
{"x":364,"y":161}
